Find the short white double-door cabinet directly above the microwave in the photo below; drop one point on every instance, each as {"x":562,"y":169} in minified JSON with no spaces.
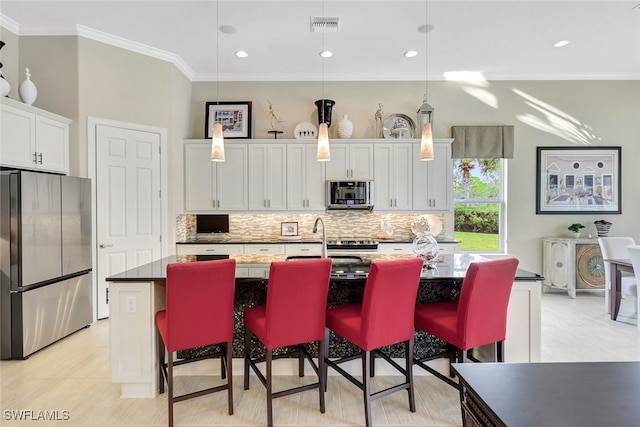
{"x":350,"y":161}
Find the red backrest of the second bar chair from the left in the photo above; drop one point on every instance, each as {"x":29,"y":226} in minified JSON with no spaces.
{"x":297,"y":301}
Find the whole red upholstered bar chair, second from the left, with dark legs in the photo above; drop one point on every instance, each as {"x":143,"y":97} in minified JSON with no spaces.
{"x":293,"y":315}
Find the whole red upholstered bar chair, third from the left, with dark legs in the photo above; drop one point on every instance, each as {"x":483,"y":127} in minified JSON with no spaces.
{"x":384,"y":317}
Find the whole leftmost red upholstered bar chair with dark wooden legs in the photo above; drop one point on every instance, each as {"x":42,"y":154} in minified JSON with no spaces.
{"x":199,"y":312}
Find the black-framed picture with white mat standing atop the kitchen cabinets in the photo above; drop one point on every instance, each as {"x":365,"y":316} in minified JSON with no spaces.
{"x":235,"y":117}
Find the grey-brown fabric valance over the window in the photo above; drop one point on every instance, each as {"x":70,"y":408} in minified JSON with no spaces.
{"x":482,"y":142}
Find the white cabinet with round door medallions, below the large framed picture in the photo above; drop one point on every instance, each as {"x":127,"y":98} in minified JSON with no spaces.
{"x":572,"y":264}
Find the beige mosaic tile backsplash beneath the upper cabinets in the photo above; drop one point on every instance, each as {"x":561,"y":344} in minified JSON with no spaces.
{"x":340,"y":224}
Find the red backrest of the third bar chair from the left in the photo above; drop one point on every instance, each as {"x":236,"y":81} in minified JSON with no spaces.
{"x":389,"y":302}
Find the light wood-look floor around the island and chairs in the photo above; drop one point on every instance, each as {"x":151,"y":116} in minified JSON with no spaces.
{"x":73,"y":375}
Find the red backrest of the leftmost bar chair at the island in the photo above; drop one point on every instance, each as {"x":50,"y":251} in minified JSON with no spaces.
{"x":199,"y":303}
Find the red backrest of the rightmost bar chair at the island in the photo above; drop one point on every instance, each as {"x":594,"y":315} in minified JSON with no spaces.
{"x":484,"y":299}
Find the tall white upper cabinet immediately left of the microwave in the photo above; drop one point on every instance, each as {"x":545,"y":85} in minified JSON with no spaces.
{"x":305,"y":178}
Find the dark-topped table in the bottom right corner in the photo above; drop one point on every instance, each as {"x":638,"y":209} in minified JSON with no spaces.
{"x":549,"y":394}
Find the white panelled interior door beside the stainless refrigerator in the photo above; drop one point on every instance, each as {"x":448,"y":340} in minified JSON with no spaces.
{"x":128,"y":203}
